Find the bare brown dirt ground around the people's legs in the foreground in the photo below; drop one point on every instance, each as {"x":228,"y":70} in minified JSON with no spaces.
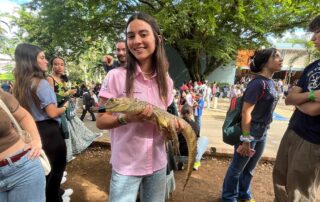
{"x":89,"y":175}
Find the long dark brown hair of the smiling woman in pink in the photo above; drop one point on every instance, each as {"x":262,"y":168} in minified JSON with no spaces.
{"x":160,"y":63}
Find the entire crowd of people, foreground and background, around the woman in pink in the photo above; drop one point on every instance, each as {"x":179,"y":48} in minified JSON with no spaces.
{"x":45,"y":106}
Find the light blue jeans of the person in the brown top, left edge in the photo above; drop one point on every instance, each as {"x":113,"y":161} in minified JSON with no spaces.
{"x":23,"y":180}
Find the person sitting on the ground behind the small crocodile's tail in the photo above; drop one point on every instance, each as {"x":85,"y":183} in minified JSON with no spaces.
{"x":202,"y":142}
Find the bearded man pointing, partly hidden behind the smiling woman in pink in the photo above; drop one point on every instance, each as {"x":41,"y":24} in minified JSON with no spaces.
{"x":108,"y":61}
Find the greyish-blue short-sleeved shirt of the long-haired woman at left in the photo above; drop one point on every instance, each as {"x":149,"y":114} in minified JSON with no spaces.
{"x":46,"y":96}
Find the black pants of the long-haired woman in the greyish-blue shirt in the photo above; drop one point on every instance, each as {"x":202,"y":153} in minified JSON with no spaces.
{"x":55,"y":148}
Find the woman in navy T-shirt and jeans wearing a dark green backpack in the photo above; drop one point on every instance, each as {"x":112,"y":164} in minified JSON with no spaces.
{"x":259,"y":101}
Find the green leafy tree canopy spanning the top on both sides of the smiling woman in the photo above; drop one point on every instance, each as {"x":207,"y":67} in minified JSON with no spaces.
{"x":199,"y":30}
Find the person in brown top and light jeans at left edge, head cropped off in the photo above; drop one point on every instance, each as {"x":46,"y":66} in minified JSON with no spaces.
{"x":22,"y":176}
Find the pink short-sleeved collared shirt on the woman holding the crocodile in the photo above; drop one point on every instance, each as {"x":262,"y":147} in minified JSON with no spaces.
{"x":137,"y":148}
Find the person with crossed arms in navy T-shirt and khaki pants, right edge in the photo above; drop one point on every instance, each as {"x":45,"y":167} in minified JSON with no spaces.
{"x":296,"y":173}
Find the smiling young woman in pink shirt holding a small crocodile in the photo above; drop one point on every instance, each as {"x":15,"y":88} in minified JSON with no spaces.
{"x":138,"y":153}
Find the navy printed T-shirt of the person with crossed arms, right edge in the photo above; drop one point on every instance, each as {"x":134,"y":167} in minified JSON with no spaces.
{"x":308,"y":127}
